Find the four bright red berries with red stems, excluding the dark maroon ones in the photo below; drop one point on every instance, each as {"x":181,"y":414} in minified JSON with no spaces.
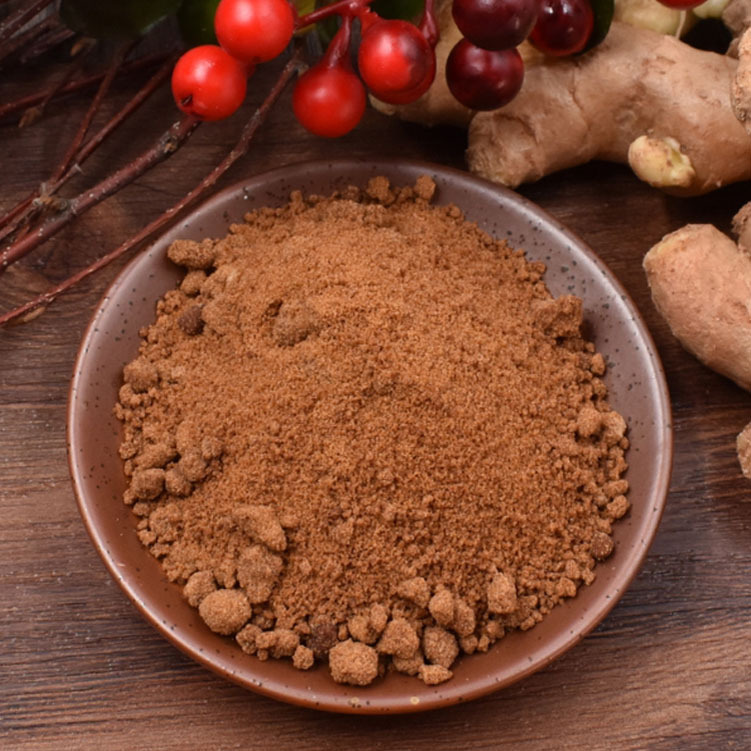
{"x":396,"y":61}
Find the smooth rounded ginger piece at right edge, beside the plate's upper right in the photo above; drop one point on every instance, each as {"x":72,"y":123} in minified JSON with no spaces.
{"x":701,"y":284}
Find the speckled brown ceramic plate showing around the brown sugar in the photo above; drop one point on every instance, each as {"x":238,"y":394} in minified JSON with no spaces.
{"x":635,"y":380}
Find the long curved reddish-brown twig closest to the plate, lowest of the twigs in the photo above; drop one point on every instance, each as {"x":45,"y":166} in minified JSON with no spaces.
{"x":31,"y":309}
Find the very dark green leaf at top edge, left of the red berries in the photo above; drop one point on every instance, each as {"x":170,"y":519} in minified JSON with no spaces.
{"x":113,"y":19}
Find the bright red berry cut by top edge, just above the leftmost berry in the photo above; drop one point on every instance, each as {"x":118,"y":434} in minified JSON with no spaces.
{"x":254,"y":31}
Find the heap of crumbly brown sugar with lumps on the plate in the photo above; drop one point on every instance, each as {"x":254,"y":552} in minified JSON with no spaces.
{"x":362,"y":431}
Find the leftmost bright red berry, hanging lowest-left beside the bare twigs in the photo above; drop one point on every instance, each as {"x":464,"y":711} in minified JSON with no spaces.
{"x":209,"y":83}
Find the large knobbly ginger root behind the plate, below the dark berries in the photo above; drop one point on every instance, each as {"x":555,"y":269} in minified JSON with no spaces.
{"x":636,"y":83}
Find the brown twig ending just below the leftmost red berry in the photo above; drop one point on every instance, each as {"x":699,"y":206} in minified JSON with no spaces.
{"x":167,"y":144}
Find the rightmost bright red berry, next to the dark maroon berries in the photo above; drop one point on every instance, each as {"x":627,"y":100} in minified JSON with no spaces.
{"x":395,"y":61}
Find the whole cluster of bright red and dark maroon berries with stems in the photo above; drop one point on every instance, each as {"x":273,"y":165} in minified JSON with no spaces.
{"x":396,"y":59}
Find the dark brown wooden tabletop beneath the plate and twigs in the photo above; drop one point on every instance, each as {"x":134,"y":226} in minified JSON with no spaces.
{"x":670,"y":668}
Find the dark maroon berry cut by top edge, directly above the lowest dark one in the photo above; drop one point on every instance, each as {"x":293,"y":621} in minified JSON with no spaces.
{"x":495,"y":24}
